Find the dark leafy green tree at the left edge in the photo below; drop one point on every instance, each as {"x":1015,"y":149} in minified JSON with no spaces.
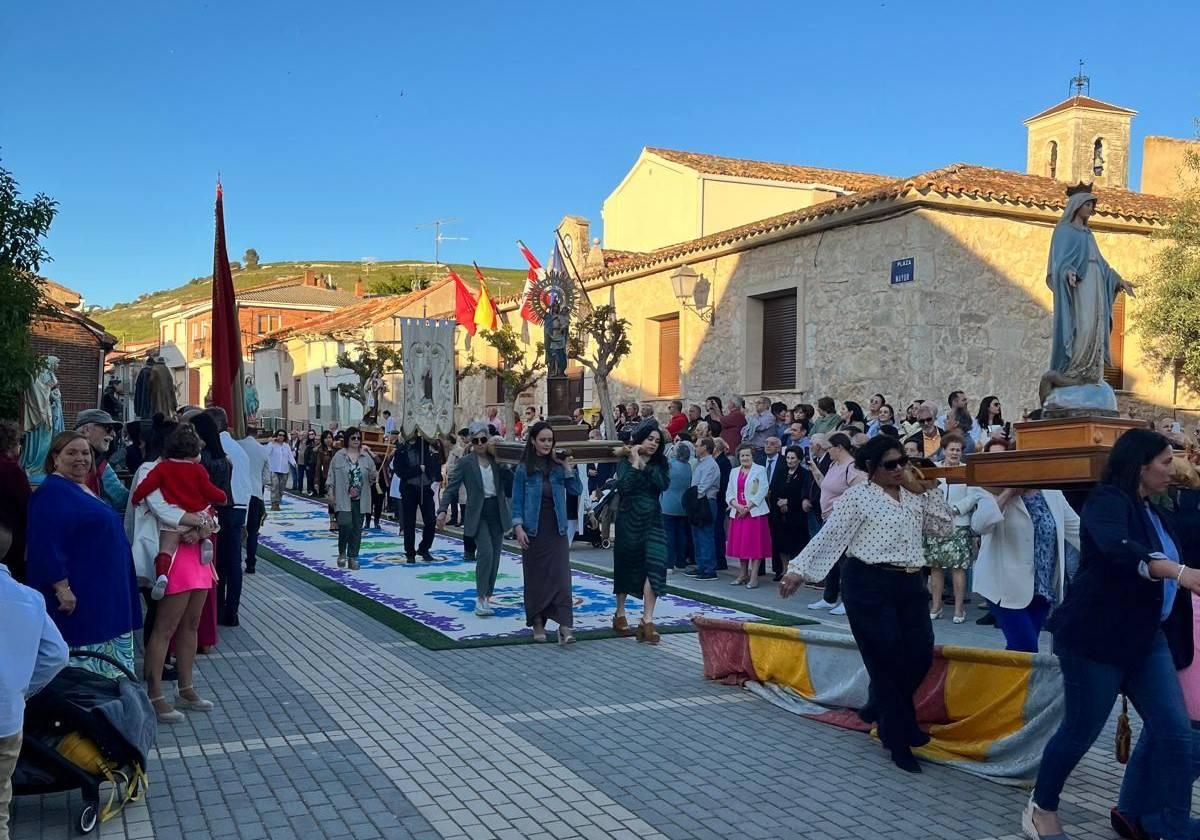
{"x":23,"y":226}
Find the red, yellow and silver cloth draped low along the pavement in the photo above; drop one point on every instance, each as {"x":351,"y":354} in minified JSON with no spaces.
{"x":988,"y":712}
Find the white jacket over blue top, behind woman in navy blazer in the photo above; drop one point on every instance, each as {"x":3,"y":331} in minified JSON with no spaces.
{"x":1004,"y":573}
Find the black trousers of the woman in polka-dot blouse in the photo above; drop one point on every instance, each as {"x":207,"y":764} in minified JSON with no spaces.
{"x":889,"y":613}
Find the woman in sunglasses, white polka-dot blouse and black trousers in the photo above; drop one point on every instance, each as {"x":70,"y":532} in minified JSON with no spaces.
{"x":879,"y":525}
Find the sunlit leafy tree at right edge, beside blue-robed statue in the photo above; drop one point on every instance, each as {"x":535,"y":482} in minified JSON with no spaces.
{"x":1168,"y":316}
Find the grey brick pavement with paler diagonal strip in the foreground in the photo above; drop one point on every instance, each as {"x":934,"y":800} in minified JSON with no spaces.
{"x":331,"y":725}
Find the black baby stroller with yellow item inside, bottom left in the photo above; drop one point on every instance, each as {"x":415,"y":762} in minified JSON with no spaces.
{"x":86,"y":730}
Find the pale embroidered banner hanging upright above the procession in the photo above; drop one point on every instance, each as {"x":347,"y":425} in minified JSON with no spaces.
{"x":429,"y":381}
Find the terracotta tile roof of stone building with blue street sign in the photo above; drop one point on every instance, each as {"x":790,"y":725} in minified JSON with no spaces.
{"x":961,"y":181}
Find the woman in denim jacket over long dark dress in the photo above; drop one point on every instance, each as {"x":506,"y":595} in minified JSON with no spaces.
{"x":541,"y":485}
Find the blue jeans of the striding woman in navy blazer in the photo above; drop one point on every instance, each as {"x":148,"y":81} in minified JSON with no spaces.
{"x":1090,"y":691}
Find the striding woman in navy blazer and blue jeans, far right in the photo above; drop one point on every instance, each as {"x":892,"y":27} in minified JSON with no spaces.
{"x":1112,"y":632}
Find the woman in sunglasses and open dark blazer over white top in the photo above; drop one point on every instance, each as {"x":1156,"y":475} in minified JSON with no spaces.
{"x":487,"y":518}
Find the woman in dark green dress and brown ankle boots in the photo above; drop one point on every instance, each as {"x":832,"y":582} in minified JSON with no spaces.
{"x":640,"y":557}
